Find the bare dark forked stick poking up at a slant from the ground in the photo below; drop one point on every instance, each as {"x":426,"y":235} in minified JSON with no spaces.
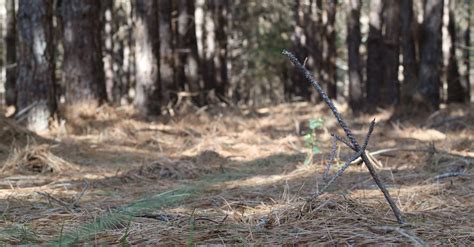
{"x":349,"y":134}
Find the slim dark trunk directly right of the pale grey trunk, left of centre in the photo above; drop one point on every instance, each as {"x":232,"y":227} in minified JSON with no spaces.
{"x":166,"y":52}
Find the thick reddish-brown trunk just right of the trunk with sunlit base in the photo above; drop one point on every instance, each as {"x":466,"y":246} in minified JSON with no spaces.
{"x":83,"y":68}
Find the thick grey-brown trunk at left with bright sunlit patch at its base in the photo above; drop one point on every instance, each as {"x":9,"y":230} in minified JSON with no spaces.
{"x":35,"y":81}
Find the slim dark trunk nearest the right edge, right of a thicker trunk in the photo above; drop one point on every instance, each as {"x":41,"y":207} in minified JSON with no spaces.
{"x":457,"y":92}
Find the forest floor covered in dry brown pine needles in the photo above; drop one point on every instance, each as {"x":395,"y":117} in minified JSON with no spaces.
{"x":223,"y":175}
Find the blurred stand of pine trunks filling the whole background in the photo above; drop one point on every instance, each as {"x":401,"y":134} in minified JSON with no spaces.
{"x":161,"y":55}
